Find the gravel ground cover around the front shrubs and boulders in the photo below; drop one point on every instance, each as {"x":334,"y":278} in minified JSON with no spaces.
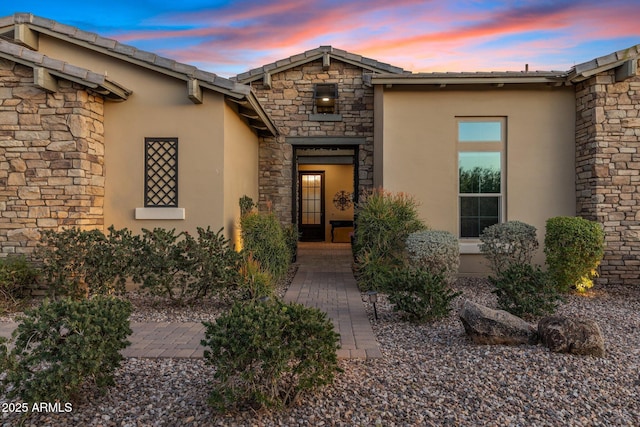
{"x":430,"y":375}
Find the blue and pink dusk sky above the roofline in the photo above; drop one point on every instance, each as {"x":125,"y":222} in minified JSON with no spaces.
{"x":229,"y":37}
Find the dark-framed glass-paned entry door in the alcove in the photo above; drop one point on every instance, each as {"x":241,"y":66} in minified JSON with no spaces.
{"x":311,"y":207}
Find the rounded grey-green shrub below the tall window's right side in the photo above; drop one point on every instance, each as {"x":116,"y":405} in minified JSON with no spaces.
{"x":508,"y":243}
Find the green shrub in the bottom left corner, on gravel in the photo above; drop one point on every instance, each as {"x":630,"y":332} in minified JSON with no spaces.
{"x":60,"y":346}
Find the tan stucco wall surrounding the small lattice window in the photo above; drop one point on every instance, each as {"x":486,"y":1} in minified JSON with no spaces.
{"x":158,"y":107}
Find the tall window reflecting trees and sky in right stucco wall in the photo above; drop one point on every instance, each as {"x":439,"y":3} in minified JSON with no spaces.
{"x":480,"y":174}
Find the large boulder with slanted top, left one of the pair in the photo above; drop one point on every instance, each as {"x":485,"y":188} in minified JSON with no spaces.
{"x":487,"y":326}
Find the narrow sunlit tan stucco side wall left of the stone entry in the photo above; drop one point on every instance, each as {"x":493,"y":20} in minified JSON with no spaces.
{"x":240,"y":169}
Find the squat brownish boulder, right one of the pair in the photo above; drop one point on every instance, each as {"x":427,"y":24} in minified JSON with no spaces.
{"x":571,"y":335}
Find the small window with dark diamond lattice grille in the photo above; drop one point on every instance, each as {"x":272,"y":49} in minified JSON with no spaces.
{"x":161,"y":172}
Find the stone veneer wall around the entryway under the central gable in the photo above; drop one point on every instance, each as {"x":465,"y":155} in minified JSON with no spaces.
{"x":289,"y":102}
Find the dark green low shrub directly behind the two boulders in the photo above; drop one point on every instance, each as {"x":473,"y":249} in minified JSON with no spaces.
{"x":525,"y":290}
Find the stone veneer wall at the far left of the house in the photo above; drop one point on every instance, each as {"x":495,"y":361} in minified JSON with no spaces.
{"x":51,"y":159}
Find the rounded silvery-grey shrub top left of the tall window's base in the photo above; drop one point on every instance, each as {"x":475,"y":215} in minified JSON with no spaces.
{"x":435,"y":251}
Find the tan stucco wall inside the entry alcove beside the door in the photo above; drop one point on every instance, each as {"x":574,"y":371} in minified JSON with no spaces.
{"x":337,"y":178}
